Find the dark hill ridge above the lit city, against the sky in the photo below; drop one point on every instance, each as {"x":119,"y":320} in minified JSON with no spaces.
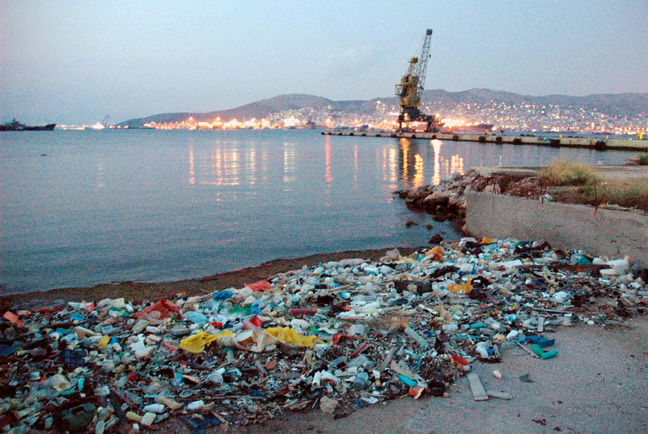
{"x":619,"y":105}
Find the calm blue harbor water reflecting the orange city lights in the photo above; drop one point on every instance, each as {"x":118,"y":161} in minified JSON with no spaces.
{"x":105,"y":206}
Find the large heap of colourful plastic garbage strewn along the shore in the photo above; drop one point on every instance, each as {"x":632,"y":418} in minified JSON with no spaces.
{"x":336,"y":337}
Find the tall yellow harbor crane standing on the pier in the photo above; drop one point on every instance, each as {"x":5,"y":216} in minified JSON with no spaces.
{"x":410,"y":90}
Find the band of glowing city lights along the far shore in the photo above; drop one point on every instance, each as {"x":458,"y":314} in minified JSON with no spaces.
{"x":492,"y":115}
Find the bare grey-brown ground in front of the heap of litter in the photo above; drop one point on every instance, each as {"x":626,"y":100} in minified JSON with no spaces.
{"x":597,"y":384}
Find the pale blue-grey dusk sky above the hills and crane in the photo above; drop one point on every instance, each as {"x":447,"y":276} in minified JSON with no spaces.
{"x":76,"y":61}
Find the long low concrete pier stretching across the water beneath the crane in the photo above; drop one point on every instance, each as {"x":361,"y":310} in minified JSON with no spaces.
{"x":573,"y":142}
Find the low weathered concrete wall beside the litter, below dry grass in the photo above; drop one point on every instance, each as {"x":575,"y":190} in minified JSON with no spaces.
{"x":602,"y":232}
